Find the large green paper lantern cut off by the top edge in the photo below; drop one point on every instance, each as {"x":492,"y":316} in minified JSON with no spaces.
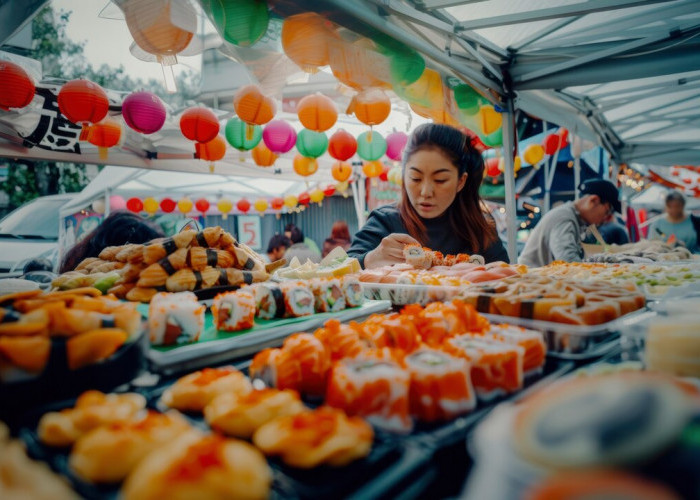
{"x":240,"y":22}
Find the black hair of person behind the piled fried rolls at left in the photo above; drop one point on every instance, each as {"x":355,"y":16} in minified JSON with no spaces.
{"x":118,"y":228}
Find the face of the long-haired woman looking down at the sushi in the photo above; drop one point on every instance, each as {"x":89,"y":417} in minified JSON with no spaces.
{"x":432,"y":182}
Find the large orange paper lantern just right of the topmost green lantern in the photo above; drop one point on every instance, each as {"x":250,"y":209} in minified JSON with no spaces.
{"x":305,"y":40}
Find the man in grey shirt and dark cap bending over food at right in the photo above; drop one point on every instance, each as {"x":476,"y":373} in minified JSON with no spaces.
{"x":558,"y":235}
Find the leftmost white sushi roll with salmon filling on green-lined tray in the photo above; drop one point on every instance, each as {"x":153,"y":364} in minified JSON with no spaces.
{"x":175,"y":318}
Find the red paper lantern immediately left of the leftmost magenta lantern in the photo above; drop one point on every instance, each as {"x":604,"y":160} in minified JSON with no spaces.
{"x":83,"y":102}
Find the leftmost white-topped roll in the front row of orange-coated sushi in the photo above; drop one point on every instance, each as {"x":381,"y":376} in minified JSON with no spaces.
{"x":374,"y":389}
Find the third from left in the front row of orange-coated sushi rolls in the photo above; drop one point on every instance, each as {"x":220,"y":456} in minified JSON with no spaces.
{"x":496,"y":367}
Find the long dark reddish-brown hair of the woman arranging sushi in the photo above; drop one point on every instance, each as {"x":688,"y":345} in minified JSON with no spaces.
{"x":466,"y":214}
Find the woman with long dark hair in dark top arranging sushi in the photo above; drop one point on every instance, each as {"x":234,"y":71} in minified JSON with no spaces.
{"x":440,"y":207}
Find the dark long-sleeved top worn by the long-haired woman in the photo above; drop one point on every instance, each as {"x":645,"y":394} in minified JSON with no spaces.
{"x":386,"y":220}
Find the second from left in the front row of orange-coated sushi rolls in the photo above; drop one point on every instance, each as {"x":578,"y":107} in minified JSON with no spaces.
{"x":441,"y":386}
